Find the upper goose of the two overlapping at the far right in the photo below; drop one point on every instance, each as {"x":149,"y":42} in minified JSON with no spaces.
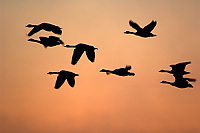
{"x":178,"y":68}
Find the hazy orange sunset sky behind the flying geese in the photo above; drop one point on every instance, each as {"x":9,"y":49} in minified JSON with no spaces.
{"x":99,"y":103}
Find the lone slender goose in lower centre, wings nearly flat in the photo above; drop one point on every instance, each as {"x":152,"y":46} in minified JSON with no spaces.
{"x":120,"y":71}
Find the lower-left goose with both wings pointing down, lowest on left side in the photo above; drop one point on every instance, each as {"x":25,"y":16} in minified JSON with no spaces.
{"x":62,"y":76}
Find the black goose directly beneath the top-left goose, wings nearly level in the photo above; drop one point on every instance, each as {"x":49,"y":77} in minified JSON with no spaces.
{"x":48,"y":42}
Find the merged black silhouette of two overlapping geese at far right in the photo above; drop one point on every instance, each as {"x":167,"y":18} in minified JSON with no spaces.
{"x":178,"y":70}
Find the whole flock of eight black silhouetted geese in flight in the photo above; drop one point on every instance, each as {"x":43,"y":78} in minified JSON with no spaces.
{"x":178,"y":70}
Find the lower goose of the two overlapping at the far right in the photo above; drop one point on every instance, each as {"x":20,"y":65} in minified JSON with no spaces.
{"x":180,"y":82}
